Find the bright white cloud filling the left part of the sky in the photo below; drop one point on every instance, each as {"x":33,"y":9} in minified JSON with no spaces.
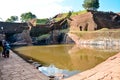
{"x":41,"y":8}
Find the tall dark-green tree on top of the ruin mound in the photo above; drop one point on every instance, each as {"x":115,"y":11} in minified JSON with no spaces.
{"x":91,"y":4}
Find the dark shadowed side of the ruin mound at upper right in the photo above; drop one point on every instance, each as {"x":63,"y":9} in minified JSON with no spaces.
{"x":108,"y":20}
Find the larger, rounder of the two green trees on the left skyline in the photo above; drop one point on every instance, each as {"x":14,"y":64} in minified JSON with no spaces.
{"x":27,"y":16}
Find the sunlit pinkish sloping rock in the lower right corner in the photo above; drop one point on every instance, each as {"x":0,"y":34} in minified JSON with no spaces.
{"x":108,"y":70}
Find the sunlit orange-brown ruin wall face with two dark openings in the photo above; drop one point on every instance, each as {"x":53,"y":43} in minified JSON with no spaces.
{"x":82,"y":22}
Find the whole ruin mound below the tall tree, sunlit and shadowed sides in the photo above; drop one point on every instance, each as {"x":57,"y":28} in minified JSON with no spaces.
{"x":94,"y":20}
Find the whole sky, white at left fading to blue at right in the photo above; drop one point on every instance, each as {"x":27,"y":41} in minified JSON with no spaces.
{"x":49,"y":8}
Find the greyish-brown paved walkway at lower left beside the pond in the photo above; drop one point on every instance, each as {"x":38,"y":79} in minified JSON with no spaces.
{"x":15,"y":68}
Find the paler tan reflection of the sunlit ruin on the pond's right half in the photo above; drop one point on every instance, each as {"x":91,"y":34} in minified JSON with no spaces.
{"x":87,"y":56}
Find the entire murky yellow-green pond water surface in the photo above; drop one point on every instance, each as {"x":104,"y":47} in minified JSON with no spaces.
{"x":69,"y":57}
